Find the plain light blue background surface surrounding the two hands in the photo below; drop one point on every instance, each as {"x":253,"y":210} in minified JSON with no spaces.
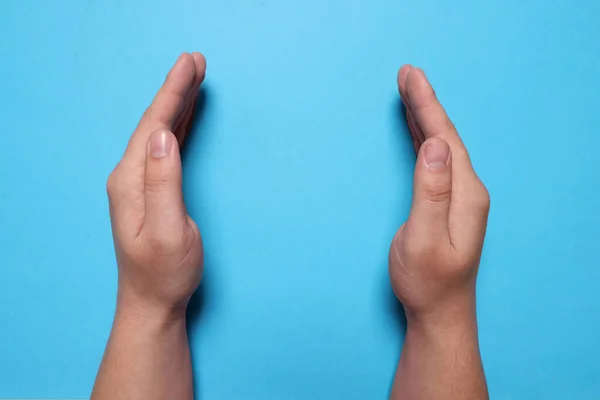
{"x":298,"y":175}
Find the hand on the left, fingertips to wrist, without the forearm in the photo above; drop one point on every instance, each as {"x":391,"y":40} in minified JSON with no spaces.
{"x":158,"y":246}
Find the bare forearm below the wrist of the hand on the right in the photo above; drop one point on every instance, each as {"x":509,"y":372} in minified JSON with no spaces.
{"x":440,"y":358}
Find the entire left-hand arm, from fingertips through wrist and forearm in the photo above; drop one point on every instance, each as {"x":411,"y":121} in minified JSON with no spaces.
{"x":158,"y":248}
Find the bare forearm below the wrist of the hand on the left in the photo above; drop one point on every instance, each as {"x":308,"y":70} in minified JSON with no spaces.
{"x":147,"y":357}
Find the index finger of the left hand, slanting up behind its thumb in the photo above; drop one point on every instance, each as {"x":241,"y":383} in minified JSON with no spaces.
{"x":167,"y":105}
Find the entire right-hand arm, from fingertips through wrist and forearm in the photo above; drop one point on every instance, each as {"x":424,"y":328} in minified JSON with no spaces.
{"x":434,"y":256}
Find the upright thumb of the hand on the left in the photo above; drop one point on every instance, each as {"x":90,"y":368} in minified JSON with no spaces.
{"x":165,"y":209}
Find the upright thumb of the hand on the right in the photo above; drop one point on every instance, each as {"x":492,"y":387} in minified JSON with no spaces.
{"x":432,"y":190}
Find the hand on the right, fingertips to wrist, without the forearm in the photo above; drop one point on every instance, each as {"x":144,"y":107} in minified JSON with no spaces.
{"x":434,"y":256}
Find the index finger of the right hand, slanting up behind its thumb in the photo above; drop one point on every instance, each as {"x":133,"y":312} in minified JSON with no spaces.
{"x":432,"y":118}
